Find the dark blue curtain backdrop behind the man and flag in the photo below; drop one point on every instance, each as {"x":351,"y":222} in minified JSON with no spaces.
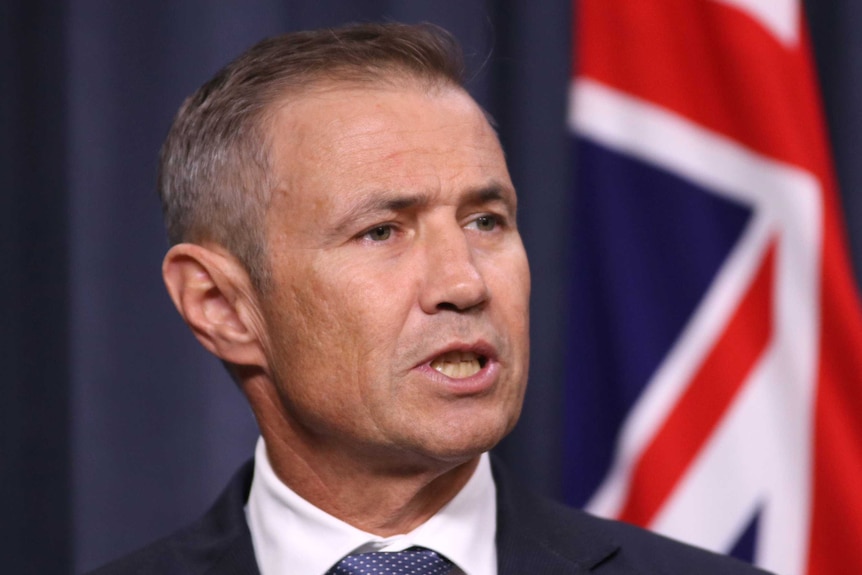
{"x":116,"y":426}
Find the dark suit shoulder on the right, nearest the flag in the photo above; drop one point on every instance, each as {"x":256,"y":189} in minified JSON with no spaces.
{"x":538,"y":534}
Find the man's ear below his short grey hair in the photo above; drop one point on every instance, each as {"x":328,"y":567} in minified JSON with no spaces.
{"x":213,"y":293}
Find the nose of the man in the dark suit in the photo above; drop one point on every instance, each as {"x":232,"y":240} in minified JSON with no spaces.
{"x":452,"y":280}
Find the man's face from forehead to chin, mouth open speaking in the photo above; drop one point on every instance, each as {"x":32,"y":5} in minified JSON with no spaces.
{"x":397,"y":322}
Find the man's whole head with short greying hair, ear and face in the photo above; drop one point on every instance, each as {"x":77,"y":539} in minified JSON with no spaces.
{"x":391,"y":326}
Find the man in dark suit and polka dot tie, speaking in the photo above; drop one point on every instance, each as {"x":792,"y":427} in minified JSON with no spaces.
{"x":345,"y":241}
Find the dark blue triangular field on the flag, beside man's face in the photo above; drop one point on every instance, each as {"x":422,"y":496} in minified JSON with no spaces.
{"x":647,"y":247}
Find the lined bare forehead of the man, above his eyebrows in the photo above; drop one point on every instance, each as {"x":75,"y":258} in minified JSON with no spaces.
{"x":336,"y":142}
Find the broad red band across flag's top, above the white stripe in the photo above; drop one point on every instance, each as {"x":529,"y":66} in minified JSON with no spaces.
{"x":708,"y":62}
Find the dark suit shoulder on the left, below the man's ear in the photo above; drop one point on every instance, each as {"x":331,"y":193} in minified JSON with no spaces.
{"x":218,"y":542}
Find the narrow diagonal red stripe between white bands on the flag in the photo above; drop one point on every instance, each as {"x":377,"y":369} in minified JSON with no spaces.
{"x":704,"y":402}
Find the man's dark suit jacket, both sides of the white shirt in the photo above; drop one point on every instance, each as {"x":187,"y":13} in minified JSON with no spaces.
{"x":534,"y":536}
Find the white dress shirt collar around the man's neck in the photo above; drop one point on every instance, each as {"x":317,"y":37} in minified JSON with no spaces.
{"x":292,"y":536}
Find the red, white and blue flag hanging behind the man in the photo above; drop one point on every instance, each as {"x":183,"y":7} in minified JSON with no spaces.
{"x":716,"y":333}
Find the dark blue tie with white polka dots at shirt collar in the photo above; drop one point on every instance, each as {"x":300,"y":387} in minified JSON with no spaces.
{"x":412,"y":561}
